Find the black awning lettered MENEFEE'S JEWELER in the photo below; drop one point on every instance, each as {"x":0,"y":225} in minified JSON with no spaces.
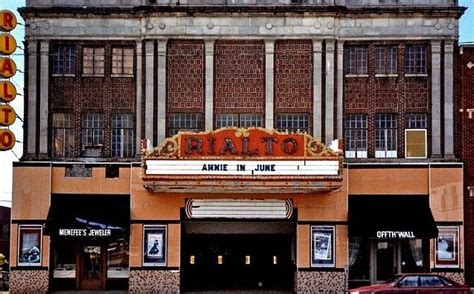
{"x":88,"y":216}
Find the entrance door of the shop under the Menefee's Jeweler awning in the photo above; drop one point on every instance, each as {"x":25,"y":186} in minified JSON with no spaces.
{"x":92,"y":275}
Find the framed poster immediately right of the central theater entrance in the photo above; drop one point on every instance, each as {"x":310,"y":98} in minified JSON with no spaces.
{"x":322,"y":239}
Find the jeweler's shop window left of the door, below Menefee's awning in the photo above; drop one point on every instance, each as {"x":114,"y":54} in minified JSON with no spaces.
{"x":65,"y":260}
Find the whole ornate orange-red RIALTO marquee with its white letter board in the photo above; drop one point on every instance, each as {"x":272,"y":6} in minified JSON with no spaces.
{"x":252,"y":160}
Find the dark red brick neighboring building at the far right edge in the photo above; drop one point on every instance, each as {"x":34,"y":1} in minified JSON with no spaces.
{"x":466,"y":123}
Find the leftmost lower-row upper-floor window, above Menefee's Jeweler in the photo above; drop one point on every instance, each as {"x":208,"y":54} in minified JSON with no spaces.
{"x":63,"y":135}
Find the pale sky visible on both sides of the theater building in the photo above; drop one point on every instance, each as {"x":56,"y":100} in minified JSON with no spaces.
{"x":7,"y":157}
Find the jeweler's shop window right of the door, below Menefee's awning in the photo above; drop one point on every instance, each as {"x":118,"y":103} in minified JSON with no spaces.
{"x":118,"y":255}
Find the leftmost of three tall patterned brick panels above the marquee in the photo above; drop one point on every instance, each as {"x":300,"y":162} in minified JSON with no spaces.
{"x":185,"y":76}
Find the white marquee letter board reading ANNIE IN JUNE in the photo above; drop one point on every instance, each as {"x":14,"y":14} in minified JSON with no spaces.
{"x":243,"y":167}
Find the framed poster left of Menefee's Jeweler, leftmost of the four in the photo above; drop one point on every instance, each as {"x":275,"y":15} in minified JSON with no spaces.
{"x":30,"y":245}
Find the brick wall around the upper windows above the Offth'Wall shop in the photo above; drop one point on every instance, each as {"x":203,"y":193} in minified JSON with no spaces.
{"x":388,"y":94}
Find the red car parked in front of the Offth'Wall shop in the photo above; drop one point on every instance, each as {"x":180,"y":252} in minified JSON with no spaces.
{"x":415,"y":283}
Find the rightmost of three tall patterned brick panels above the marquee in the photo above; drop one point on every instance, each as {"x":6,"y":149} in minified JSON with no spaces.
{"x":294,"y":76}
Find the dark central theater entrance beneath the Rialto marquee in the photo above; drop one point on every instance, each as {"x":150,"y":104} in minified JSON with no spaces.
{"x":238,"y":261}
